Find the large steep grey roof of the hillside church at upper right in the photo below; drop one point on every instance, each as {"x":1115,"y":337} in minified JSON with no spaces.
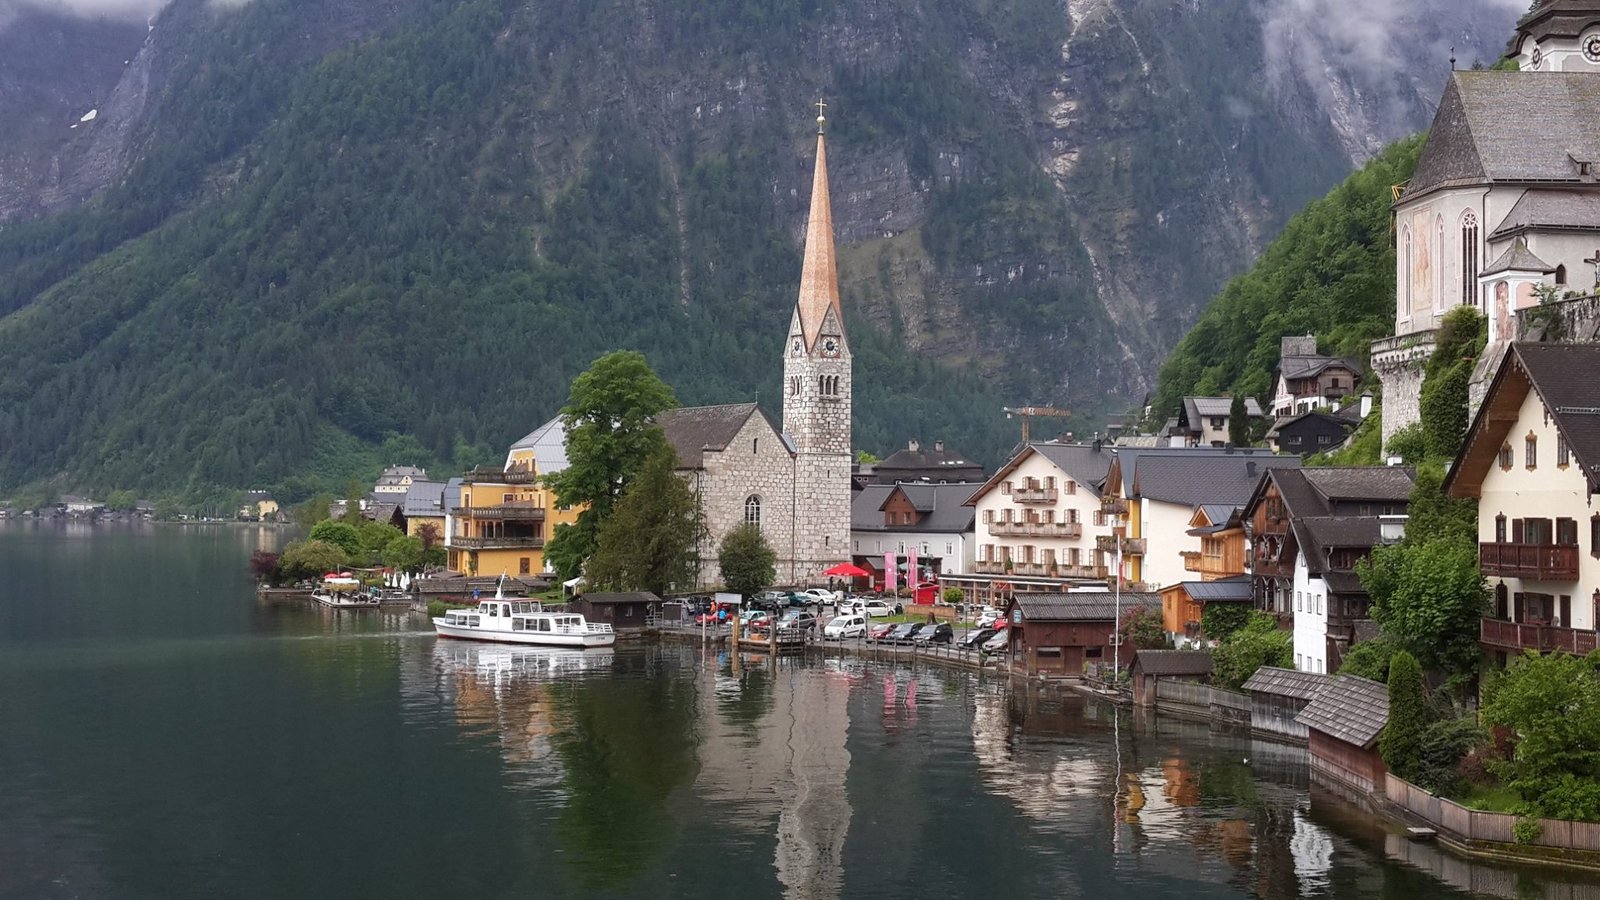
{"x":1486,"y":126}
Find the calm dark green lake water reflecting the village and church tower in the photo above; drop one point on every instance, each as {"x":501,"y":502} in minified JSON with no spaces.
{"x":164,"y":734}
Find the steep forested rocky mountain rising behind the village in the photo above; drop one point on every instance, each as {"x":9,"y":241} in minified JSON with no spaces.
{"x":298,"y":233}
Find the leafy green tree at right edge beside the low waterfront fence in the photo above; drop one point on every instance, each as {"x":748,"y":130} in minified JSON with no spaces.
{"x":1551,"y":705}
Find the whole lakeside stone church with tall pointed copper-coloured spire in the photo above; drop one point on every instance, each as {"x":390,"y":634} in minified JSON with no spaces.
{"x":793,"y":483}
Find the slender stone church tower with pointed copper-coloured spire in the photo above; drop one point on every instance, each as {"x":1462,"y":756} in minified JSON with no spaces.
{"x":817,"y":393}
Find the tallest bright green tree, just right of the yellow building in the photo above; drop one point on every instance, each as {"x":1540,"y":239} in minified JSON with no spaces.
{"x":610,"y":435}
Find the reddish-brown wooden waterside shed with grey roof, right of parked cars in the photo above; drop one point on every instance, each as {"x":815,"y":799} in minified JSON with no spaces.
{"x":1060,"y":633}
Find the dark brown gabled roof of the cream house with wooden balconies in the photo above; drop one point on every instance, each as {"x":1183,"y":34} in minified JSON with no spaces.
{"x":1564,"y":377}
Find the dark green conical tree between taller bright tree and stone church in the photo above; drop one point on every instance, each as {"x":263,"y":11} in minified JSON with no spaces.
{"x":649,"y":540}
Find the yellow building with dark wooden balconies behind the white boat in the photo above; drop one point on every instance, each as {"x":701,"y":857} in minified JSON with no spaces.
{"x":503,"y":518}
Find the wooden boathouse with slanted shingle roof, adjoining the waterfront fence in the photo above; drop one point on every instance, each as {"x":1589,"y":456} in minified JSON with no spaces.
{"x":1343,"y":725}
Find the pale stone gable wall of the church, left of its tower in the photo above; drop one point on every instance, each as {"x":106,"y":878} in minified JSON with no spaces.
{"x":754,"y":465}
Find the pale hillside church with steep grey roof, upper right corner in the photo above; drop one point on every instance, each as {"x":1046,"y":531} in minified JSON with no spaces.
{"x":1505,"y":203}
